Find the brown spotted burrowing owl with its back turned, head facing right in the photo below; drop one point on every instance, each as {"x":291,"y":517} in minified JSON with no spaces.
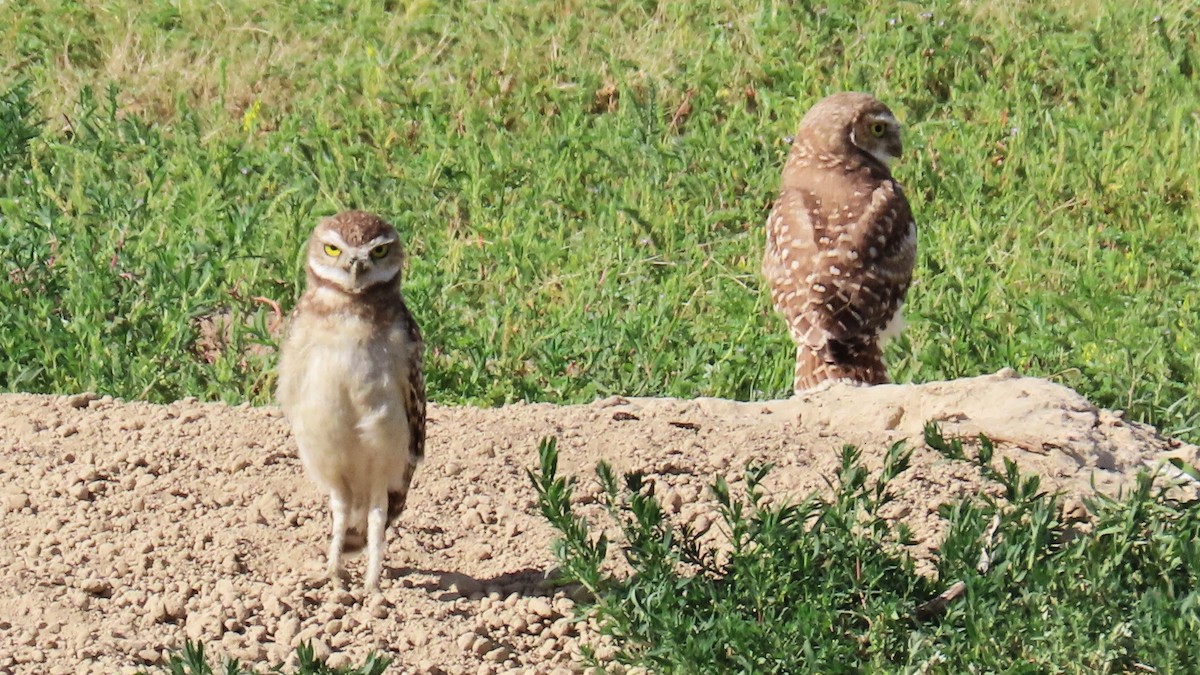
{"x":842,"y":242}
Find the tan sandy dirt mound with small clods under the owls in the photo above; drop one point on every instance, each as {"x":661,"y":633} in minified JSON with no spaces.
{"x":129,"y":527}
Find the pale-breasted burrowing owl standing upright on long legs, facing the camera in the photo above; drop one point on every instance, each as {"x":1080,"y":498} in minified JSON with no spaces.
{"x":351,"y":383}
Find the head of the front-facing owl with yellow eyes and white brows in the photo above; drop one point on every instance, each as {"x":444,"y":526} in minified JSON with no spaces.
{"x":356,"y":252}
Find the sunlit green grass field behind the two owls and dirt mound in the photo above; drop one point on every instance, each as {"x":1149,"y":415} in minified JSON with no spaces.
{"x":571,"y":235}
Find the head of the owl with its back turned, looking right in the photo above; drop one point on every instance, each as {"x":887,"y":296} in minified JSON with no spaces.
{"x":857,"y":120}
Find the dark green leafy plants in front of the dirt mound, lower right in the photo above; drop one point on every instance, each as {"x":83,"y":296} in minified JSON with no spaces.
{"x":825,"y":587}
